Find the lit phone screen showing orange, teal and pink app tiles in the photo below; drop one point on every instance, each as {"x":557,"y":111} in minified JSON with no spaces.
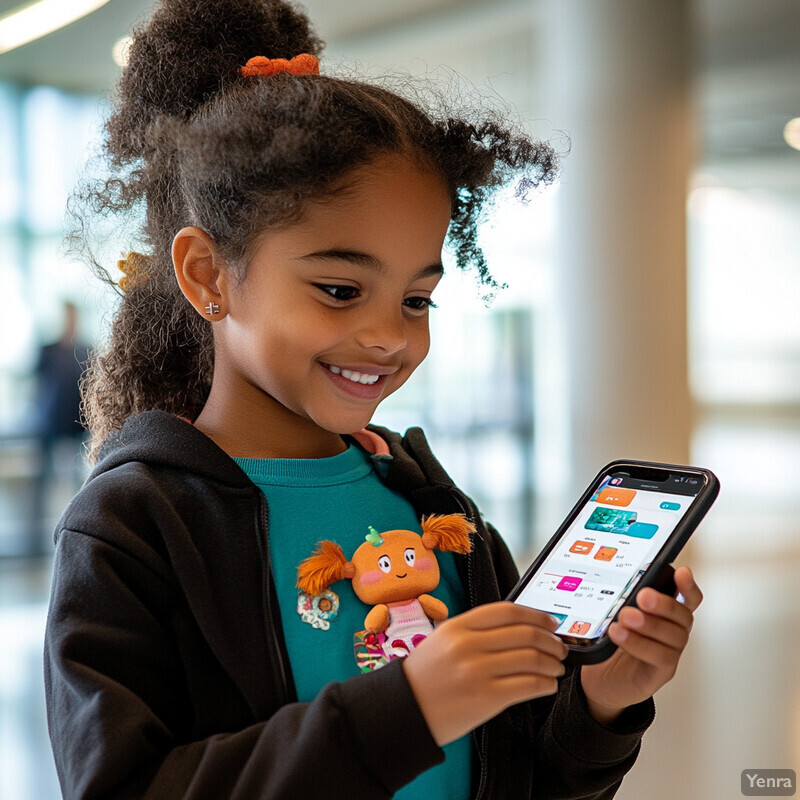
{"x":601,"y":556}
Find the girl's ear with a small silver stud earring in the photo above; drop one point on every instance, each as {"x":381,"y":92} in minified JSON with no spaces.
{"x":198,"y":268}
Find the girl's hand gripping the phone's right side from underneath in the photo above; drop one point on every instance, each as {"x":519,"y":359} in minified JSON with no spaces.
{"x":650,"y":641}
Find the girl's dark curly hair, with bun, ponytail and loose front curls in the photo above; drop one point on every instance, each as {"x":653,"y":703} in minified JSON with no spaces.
{"x":192,"y":142}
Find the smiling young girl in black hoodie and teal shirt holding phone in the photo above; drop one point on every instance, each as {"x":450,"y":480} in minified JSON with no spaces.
{"x":294,"y":224}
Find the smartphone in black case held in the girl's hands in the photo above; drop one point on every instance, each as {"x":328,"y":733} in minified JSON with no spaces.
{"x":621,"y":536}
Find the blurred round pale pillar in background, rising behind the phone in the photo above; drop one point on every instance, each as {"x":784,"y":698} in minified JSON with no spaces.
{"x":617,"y":76}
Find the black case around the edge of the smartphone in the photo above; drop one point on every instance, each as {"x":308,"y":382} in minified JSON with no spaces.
{"x":658,"y":575}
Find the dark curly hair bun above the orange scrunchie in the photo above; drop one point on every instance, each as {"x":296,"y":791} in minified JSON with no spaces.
{"x":188,"y":51}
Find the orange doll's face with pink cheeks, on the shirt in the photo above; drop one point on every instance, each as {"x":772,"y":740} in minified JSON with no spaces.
{"x":400,"y":569}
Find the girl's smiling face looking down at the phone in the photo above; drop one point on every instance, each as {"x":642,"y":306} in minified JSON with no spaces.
{"x":333,"y":314}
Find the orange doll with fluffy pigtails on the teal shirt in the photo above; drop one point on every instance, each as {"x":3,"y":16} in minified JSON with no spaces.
{"x":393,"y":572}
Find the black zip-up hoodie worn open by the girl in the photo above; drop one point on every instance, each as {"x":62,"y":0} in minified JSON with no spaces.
{"x":165,"y":666}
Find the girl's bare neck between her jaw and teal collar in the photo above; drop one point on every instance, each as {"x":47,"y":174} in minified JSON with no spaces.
{"x":255,"y":425}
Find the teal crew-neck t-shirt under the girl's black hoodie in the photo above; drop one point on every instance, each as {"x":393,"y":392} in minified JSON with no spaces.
{"x":339,"y":498}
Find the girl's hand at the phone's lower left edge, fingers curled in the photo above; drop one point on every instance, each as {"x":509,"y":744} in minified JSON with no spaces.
{"x":477,"y":664}
